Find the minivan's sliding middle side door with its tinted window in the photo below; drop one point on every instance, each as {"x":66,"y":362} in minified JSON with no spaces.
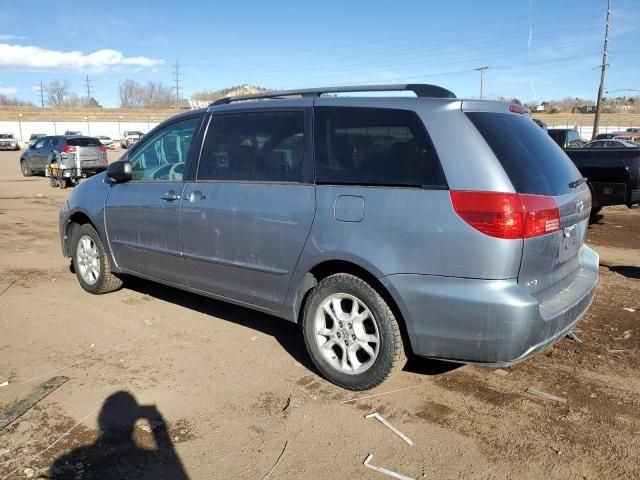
{"x":247,"y":215}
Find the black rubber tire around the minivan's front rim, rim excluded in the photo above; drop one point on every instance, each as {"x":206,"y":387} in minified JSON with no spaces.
{"x":106,"y":281}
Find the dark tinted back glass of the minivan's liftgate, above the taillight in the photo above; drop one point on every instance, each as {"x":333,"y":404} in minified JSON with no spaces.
{"x":533,"y":161}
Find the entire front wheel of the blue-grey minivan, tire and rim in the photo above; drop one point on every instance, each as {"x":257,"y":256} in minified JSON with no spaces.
{"x":91,"y":263}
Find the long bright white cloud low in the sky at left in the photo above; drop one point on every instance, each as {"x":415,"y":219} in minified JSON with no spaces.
{"x":35,"y":57}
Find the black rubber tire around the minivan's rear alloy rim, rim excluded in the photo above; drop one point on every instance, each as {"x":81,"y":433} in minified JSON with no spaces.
{"x":391,"y":356}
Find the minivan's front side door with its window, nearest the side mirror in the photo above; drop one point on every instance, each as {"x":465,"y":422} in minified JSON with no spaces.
{"x":142,"y":216}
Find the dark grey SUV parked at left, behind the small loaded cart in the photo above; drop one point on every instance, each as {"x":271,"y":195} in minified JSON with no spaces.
{"x":91,"y":153}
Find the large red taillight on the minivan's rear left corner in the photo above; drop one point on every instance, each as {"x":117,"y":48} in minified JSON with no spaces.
{"x":507,"y":215}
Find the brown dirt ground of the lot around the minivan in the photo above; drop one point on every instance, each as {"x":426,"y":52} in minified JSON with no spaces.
{"x":210,"y":390}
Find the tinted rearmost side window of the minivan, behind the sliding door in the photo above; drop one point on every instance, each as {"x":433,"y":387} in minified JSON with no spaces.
{"x":374,"y":146}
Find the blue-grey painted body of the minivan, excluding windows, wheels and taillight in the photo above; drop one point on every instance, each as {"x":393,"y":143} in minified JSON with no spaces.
{"x":462,"y":295}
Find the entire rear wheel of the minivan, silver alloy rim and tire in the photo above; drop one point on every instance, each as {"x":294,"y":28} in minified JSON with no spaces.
{"x":351,"y":333}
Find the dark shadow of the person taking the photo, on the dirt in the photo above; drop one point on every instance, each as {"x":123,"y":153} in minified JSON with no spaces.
{"x":115,"y":454}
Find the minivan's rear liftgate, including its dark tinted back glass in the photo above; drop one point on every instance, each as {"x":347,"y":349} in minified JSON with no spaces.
{"x":536,"y":165}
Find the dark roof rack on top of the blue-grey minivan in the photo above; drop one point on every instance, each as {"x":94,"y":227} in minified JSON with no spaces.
{"x":420,"y":89}
